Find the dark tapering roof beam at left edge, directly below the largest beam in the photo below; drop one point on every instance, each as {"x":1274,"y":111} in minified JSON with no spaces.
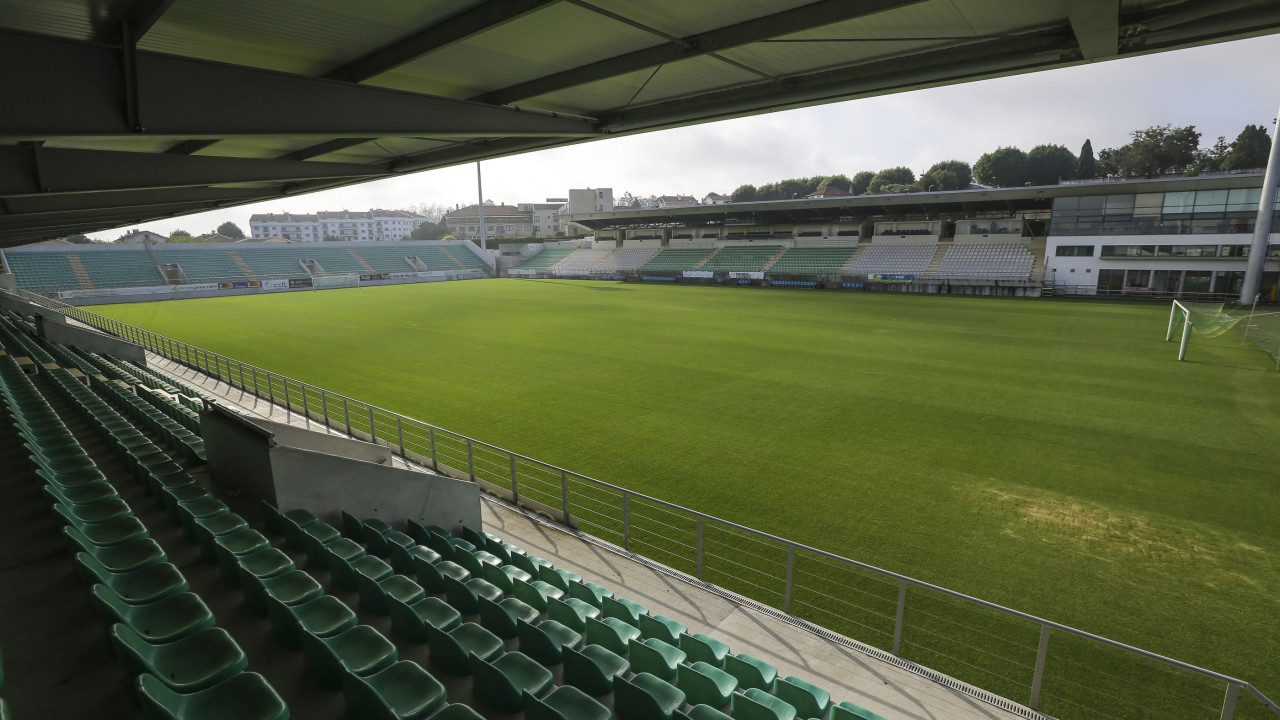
{"x":44,"y":171}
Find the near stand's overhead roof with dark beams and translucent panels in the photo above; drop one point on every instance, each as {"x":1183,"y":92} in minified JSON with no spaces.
{"x":121,"y":112}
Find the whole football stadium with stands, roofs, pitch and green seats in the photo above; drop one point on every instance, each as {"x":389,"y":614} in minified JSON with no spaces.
{"x":899,"y":455}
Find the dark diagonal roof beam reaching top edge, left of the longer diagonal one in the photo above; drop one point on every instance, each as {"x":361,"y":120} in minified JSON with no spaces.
{"x":456,"y":29}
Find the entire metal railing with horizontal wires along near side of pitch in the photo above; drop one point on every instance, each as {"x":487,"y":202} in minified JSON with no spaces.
{"x":945,"y":635}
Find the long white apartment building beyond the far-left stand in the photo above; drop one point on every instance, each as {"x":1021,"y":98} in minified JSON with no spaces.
{"x":351,"y":226}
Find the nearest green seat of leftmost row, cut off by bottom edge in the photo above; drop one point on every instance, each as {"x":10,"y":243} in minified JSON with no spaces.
{"x":245,"y":698}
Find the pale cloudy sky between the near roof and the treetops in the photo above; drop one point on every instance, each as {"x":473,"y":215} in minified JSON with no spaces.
{"x":1219,"y":89}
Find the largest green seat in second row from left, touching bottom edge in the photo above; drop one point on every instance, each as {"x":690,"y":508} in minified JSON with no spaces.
{"x":404,"y":691}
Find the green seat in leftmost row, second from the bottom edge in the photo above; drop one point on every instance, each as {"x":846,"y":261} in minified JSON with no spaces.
{"x":190,"y":664}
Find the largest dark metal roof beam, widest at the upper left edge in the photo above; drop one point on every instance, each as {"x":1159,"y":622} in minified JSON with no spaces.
{"x":68,"y":88}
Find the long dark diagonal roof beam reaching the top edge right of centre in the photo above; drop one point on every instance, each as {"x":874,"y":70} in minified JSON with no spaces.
{"x":808,"y":17}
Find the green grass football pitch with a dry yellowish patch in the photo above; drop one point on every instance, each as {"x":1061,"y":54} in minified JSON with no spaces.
{"x":1049,"y":455}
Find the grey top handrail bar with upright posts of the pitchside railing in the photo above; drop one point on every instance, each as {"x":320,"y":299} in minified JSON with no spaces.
{"x":1235,"y":685}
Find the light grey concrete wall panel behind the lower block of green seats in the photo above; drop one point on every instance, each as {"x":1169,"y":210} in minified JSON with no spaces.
{"x":327,"y":484}
